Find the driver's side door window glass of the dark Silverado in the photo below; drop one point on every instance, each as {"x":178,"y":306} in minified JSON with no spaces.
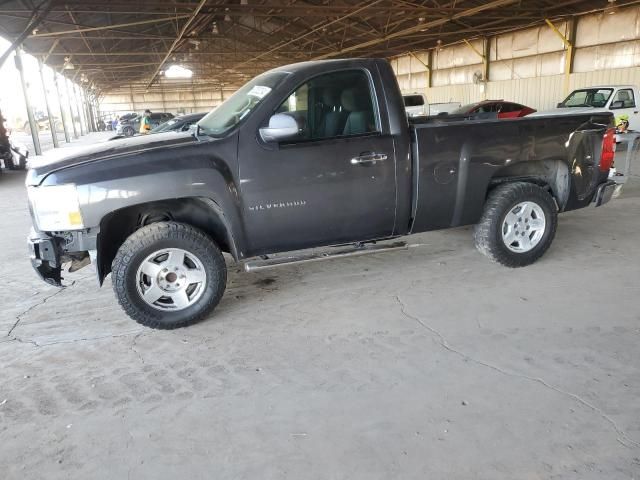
{"x":333,"y":105}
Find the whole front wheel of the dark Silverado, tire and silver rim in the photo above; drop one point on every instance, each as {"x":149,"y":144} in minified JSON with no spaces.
{"x":168,"y":275}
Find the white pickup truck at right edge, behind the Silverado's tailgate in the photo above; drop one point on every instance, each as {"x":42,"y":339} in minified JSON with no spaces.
{"x":617,"y":99}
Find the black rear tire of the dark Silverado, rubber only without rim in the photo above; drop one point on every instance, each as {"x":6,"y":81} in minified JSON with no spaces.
{"x":502,"y":200}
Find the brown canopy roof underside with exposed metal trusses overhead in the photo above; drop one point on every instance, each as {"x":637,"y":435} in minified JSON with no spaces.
{"x":116,"y":43}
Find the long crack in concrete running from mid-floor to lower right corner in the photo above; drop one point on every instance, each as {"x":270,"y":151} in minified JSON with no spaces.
{"x":623,"y":438}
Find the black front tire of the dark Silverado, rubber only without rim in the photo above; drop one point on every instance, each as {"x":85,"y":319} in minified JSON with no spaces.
{"x":145,"y":242}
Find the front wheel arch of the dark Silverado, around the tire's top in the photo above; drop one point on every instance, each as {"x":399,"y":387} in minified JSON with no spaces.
{"x":200,"y":212}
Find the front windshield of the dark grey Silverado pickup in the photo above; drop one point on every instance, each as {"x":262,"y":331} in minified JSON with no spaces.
{"x":239,"y":105}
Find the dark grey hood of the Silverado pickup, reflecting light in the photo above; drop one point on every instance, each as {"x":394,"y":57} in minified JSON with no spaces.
{"x":55,"y":160}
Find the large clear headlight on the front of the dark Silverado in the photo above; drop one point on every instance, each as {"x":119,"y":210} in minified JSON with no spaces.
{"x":56,"y":208}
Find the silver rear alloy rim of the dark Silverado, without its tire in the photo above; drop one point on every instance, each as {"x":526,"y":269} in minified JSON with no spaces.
{"x":523,"y":227}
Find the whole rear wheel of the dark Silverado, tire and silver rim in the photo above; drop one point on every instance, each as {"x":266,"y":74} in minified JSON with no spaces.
{"x":518,"y":224}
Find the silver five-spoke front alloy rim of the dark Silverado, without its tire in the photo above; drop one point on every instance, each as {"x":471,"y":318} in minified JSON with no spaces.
{"x":171,"y":279}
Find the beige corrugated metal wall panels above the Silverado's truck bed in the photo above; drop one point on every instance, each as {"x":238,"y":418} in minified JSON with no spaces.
{"x":528,"y":66}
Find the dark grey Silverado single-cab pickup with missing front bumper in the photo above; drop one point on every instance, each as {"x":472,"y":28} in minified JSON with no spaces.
{"x":317,"y":154}
